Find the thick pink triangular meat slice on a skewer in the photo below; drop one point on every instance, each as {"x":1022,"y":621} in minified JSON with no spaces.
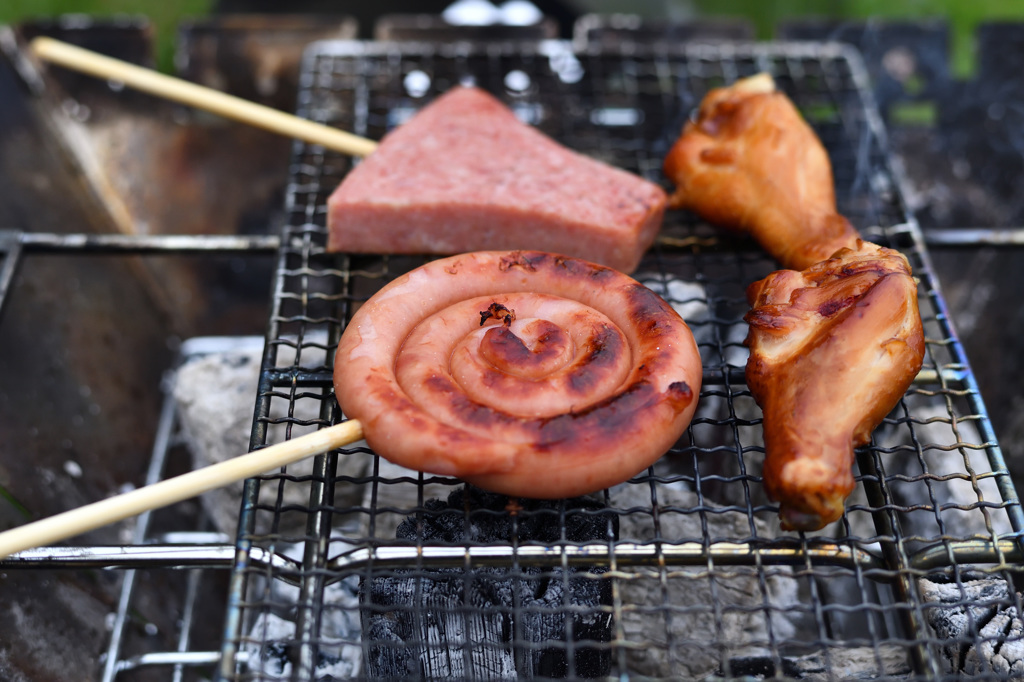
{"x":465,"y":175}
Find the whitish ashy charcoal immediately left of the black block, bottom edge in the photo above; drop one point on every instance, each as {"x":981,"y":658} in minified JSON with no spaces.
{"x":272,"y":647}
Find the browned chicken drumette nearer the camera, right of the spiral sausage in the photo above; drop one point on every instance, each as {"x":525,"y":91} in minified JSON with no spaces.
{"x":833,"y":350}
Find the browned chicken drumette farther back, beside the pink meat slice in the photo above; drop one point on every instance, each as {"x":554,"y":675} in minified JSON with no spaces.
{"x":751,"y":163}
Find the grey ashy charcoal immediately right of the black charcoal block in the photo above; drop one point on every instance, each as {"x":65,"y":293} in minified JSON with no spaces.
{"x":748,"y":618}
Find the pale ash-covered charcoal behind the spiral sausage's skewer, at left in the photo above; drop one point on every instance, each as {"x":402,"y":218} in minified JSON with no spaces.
{"x":216,"y":394}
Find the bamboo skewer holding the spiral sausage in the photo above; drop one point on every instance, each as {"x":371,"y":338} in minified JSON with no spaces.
{"x":98,"y":515}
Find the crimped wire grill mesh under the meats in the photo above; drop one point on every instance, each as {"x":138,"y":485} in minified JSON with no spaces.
{"x":680,"y":573}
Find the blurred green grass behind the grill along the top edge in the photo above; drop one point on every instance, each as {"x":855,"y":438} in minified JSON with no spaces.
{"x":964,"y":16}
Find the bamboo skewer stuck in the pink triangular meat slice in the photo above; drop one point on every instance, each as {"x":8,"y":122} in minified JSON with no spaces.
{"x":199,"y":97}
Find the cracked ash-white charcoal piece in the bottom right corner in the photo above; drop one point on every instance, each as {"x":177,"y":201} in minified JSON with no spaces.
{"x":980,"y":621}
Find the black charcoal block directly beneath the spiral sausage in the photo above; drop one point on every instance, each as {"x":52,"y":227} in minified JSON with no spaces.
{"x":492,"y":623}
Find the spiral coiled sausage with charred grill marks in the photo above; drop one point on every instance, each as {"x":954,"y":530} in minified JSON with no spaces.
{"x":594,"y":379}
